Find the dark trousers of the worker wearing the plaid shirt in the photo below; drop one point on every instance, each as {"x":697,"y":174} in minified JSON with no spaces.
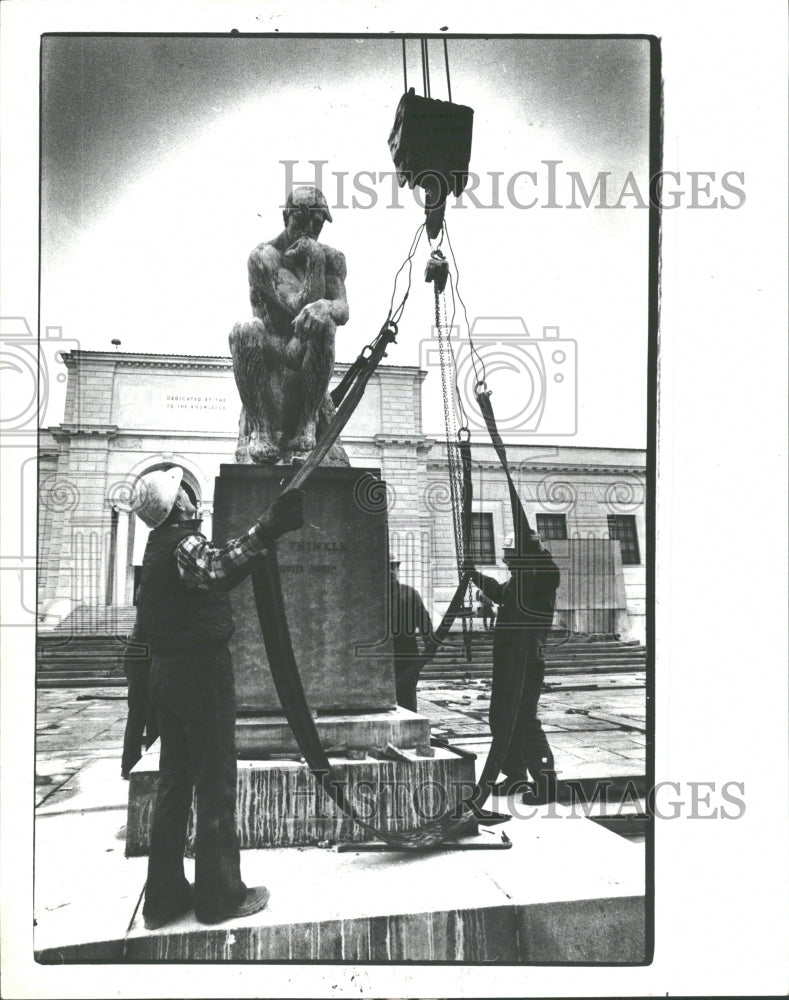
{"x":194,"y":696}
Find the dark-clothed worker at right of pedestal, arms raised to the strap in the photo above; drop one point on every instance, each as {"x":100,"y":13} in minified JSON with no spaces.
{"x":526,"y":604}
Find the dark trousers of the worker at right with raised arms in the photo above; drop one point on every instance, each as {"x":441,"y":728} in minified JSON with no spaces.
{"x":528,"y":749}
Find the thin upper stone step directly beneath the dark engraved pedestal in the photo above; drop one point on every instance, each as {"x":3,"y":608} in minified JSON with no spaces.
{"x":257,"y":736}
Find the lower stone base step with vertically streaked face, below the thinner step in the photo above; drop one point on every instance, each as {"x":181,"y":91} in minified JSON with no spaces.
{"x":279,"y":803}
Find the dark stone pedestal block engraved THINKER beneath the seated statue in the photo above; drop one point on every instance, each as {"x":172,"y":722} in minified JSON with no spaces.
{"x":335,"y":584}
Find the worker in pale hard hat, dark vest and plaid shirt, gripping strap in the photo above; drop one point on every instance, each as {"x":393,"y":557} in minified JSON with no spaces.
{"x":185,"y":615}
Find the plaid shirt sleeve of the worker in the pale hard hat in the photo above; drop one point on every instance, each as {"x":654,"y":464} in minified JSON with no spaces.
{"x":203,"y":567}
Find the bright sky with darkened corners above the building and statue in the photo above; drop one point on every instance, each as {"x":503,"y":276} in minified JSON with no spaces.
{"x":162,"y":167}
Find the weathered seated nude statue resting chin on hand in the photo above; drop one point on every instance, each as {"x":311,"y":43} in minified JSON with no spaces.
{"x":284,"y":357}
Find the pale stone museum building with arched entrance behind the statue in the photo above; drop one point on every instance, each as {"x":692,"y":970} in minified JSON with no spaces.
{"x":129,"y":413}
